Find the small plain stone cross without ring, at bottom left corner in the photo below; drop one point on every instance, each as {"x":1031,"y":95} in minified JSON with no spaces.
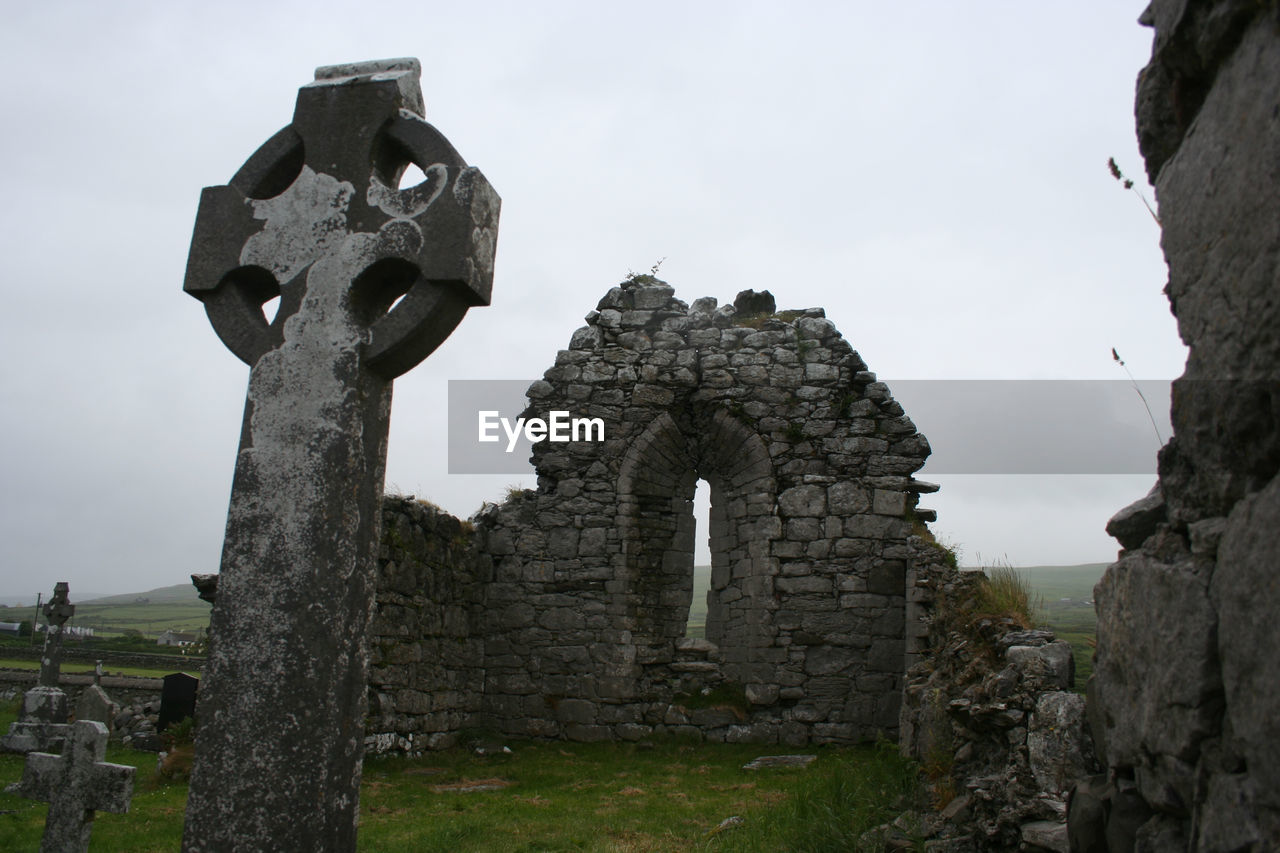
{"x":76,"y":784}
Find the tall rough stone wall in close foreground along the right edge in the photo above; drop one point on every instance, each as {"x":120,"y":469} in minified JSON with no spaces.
{"x":1187,"y":681}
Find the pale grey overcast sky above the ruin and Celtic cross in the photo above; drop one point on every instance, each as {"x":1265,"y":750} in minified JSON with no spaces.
{"x":934,"y":175}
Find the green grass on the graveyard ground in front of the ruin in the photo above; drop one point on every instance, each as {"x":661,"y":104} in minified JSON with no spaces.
{"x":551,"y":797}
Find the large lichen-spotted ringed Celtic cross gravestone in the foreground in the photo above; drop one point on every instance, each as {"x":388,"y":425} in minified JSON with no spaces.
{"x":317,"y":218}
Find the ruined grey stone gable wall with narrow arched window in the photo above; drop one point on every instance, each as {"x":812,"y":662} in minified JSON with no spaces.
{"x":568,"y":618}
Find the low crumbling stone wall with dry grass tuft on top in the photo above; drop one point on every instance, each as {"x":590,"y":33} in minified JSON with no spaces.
{"x":991,"y":714}
